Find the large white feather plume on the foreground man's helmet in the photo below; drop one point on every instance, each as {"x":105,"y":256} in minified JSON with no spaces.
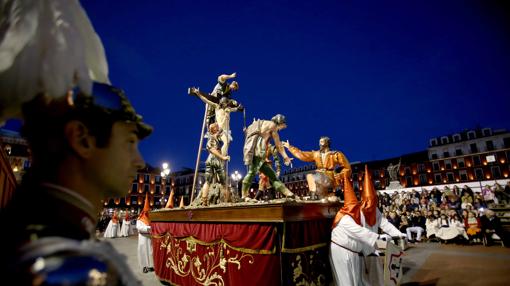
{"x":46,"y":46}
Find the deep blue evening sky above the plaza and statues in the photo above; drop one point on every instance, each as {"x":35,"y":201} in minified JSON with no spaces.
{"x":379,"y":77}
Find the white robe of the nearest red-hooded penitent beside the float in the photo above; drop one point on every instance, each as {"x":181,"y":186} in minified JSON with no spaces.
{"x":348,"y":239}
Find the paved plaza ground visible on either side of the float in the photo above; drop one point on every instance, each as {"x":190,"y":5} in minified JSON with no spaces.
{"x":424,"y":264}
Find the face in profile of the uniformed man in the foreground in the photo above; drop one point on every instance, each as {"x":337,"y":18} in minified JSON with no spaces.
{"x":113,"y":168}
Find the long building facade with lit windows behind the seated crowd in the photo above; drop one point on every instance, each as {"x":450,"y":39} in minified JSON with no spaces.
{"x":476,"y":155}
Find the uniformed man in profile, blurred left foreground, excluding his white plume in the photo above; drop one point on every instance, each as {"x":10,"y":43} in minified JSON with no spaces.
{"x":84,"y":148}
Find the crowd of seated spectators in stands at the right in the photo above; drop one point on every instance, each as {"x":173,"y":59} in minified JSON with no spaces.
{"x":455,"y":214}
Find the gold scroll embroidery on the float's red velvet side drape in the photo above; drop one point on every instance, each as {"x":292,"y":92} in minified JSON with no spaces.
{"x":208,"y":268}
